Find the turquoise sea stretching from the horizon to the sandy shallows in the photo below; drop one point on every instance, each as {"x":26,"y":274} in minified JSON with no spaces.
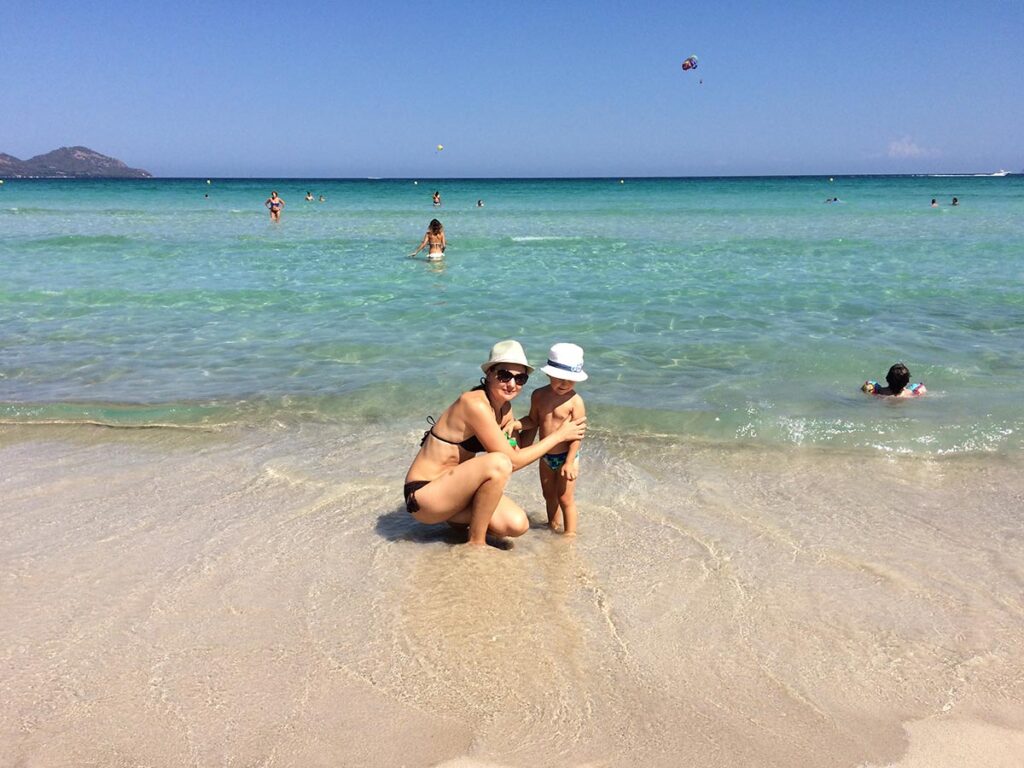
{"x":734,"y":310}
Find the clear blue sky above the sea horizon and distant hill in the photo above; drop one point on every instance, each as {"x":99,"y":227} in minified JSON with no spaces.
{"x":568,"y":89}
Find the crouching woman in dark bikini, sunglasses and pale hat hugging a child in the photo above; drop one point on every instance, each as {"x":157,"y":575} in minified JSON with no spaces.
{"x":449,"y":483}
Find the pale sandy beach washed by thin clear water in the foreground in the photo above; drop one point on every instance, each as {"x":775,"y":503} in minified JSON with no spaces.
{"x":260,"y":598}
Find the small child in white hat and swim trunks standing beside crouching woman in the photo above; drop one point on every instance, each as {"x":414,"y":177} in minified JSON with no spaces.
{"x":549,"y":407}
